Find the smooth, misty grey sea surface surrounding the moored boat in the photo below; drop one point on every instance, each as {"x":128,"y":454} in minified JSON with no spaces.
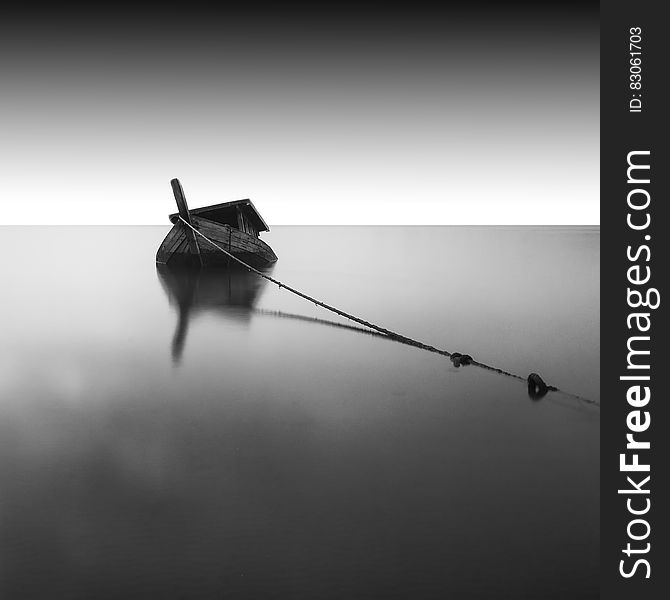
{"x":212,"y":436}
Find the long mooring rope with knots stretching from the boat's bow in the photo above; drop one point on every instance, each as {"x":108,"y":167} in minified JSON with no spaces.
{"x":457,"y":357}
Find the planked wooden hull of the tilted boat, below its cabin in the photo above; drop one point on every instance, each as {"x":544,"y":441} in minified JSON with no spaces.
{"x":244,"y":246}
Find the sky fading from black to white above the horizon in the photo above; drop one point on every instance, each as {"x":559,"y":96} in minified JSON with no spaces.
{"x":358,"y":116}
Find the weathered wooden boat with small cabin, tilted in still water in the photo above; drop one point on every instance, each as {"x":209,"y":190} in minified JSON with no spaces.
{"x":234,"y":226}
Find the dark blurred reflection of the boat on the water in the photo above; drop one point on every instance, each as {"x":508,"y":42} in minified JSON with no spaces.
{"x":231,"y":292}
